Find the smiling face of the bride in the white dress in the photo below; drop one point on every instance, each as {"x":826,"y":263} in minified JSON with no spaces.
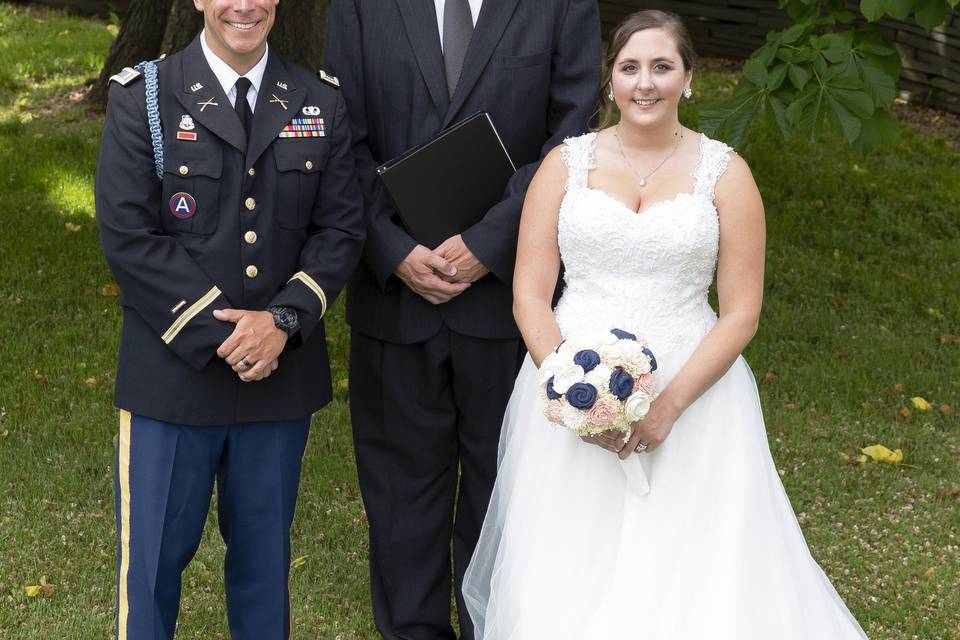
{"x":649,"y":78}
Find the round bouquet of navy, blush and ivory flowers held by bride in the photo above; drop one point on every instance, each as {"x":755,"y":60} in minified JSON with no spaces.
{"x":600,"y":382}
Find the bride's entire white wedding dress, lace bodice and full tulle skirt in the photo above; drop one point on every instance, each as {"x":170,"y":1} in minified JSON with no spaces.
{"x":568,"y":550}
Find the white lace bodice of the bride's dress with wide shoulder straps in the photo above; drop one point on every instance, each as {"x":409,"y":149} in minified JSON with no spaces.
{"x":648,"y":273}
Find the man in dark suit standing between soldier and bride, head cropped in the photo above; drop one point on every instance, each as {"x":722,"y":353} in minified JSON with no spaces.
{"x":434,"y":346}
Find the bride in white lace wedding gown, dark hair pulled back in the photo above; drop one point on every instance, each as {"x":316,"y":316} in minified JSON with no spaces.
{"x":642,"y":214}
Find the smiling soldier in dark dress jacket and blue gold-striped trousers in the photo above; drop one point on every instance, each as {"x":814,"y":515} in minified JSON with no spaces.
{"x":227,"y":263}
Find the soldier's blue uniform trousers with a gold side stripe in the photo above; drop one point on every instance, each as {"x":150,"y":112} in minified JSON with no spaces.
{"x":164,"y":482}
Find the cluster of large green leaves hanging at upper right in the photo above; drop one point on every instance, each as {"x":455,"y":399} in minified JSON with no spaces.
{"x":826,"y":70}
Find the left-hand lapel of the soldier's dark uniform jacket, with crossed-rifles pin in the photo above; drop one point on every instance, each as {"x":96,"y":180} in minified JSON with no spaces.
{"x":203,"y":98}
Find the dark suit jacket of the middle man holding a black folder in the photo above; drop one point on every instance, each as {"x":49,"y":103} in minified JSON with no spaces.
{"x":534,"y":65}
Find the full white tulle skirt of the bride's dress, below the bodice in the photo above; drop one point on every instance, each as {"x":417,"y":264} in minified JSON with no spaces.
{"x":569,"y":552}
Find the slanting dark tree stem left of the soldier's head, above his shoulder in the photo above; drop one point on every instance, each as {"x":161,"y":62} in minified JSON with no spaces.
{"x":141,"y":33}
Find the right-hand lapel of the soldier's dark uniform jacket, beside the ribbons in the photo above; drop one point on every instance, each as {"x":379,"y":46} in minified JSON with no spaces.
{"x":277,"y":103}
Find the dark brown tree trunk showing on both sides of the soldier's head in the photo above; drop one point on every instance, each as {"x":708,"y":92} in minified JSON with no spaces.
{"x":154,"y":27}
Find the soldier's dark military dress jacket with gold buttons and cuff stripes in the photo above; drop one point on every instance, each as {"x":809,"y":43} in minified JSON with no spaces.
{"x":290,"y":207}
